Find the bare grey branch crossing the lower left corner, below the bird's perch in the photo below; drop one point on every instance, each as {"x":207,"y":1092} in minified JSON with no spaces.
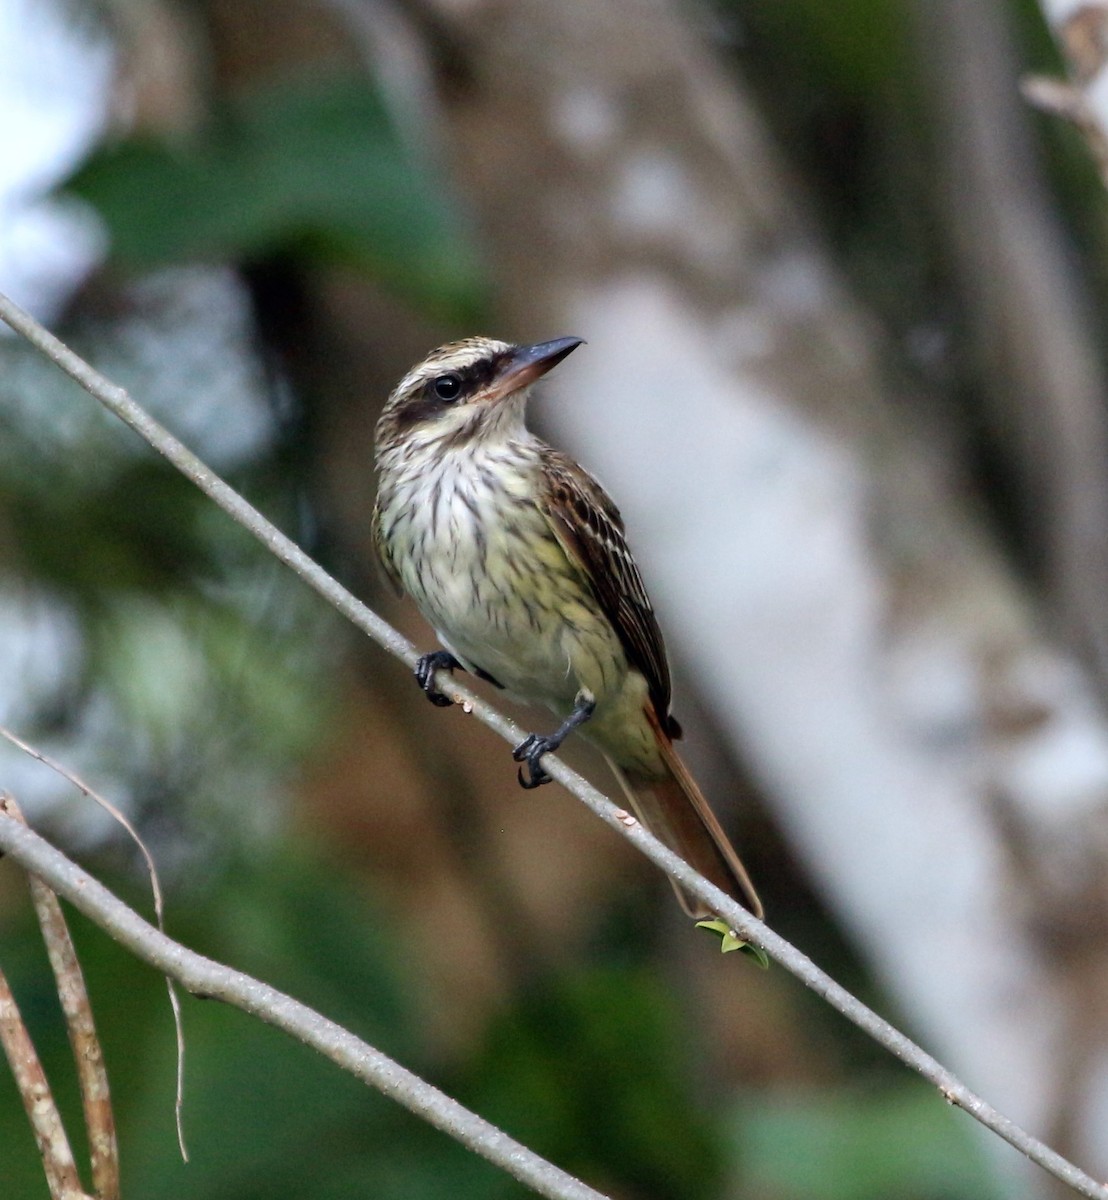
{"x":203,"y":977}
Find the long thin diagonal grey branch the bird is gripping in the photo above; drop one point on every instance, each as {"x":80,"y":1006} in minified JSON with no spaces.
{"x":747,"y":927}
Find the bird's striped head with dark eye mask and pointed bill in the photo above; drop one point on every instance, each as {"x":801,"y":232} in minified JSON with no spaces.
{"x":475,"y":389}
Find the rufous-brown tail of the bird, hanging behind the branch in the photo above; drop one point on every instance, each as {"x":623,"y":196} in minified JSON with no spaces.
{"x":676,"y":813}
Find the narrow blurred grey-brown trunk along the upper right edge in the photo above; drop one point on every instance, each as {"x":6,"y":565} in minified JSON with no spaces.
{"x":1029,"y":317}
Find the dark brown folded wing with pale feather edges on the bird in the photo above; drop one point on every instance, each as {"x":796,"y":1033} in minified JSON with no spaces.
{"x":590,"y":531}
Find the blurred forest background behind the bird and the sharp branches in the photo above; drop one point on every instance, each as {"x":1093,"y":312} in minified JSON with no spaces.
{"x":843,"y":296}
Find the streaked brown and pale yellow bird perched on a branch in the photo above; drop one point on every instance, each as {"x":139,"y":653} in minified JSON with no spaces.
{"x":519,"y":561}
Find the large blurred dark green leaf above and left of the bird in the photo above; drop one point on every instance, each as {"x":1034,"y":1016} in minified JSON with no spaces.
{"x":307,"y":167}
